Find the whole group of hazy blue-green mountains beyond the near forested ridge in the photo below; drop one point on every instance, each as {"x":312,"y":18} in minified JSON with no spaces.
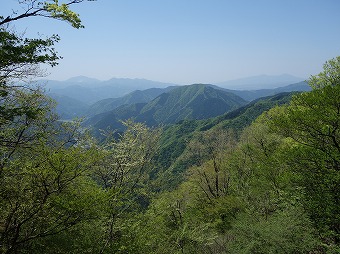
{"x":105,"y":103}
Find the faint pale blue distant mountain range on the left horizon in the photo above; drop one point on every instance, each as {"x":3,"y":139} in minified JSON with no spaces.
{"x":90,"y":90}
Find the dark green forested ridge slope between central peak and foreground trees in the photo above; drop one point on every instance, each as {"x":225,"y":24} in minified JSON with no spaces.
{"x":172,"y":160}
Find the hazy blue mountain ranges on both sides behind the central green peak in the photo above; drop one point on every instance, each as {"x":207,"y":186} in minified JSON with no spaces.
{"x":82,"y":96}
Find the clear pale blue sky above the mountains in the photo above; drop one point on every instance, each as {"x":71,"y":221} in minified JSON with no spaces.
{"x":191,"y":41}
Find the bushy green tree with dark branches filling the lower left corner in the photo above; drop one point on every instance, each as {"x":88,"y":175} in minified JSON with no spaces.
{"x":46,"y":190}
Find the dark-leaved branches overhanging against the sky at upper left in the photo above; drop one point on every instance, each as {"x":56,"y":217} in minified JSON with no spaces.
{"x":20,"y":57}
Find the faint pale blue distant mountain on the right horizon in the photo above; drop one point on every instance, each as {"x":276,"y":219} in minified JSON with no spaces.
{"x":260,"y":82}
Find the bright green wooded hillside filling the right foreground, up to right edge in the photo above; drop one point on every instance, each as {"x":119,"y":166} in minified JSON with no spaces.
{"x":272,"y":188}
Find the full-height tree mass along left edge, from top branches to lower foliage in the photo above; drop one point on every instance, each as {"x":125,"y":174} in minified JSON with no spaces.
{"x":45,"y":188}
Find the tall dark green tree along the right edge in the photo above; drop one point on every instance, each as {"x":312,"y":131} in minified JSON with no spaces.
{"x":311,"y":124}
